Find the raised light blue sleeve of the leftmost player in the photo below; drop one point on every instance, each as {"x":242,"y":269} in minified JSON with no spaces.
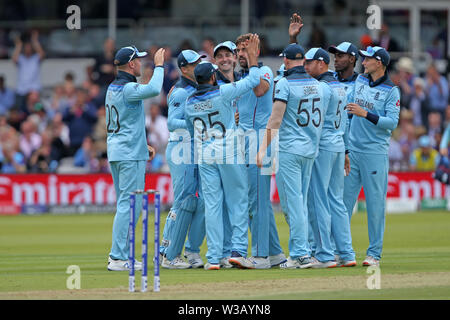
{"x":134,"y":91}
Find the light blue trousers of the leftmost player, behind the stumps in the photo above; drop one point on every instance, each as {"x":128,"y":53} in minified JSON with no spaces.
{"x":128,"y":176}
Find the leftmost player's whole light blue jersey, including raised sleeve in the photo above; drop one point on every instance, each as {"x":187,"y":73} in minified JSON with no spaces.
{"x":125,"y":117}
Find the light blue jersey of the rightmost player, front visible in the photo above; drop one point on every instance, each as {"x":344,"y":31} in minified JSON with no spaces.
{"x":382,"y":100}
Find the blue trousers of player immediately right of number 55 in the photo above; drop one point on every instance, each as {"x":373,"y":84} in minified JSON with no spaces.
{"x":326,"y":209}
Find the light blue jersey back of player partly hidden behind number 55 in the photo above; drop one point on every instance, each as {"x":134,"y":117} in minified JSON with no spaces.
{"x":335,"y":121}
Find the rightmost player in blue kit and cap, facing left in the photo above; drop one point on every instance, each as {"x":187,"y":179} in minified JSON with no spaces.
{"x":375,"y":106}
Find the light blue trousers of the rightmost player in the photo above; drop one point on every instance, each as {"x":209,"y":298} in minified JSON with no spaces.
{"x":369,"y":171}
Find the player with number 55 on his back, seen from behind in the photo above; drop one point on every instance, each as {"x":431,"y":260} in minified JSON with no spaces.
{"x":298,"y":112}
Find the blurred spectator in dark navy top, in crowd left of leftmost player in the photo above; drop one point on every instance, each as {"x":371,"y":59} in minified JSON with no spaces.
{"x":80,"y":118}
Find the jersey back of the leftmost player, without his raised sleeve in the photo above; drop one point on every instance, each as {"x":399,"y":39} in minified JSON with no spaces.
{"x":125,"y":122}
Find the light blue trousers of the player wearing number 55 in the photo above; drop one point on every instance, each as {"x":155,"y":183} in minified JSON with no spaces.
{"x":293,"y":179}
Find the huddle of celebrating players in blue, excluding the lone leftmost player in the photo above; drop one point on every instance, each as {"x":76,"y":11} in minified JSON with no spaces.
{"x":324,"y":134}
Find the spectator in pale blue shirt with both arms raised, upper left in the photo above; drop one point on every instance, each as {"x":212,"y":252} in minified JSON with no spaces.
{"x":28,"y":66}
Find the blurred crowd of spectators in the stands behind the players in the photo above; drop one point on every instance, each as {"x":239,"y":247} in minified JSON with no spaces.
{"x":65,"y":130}
